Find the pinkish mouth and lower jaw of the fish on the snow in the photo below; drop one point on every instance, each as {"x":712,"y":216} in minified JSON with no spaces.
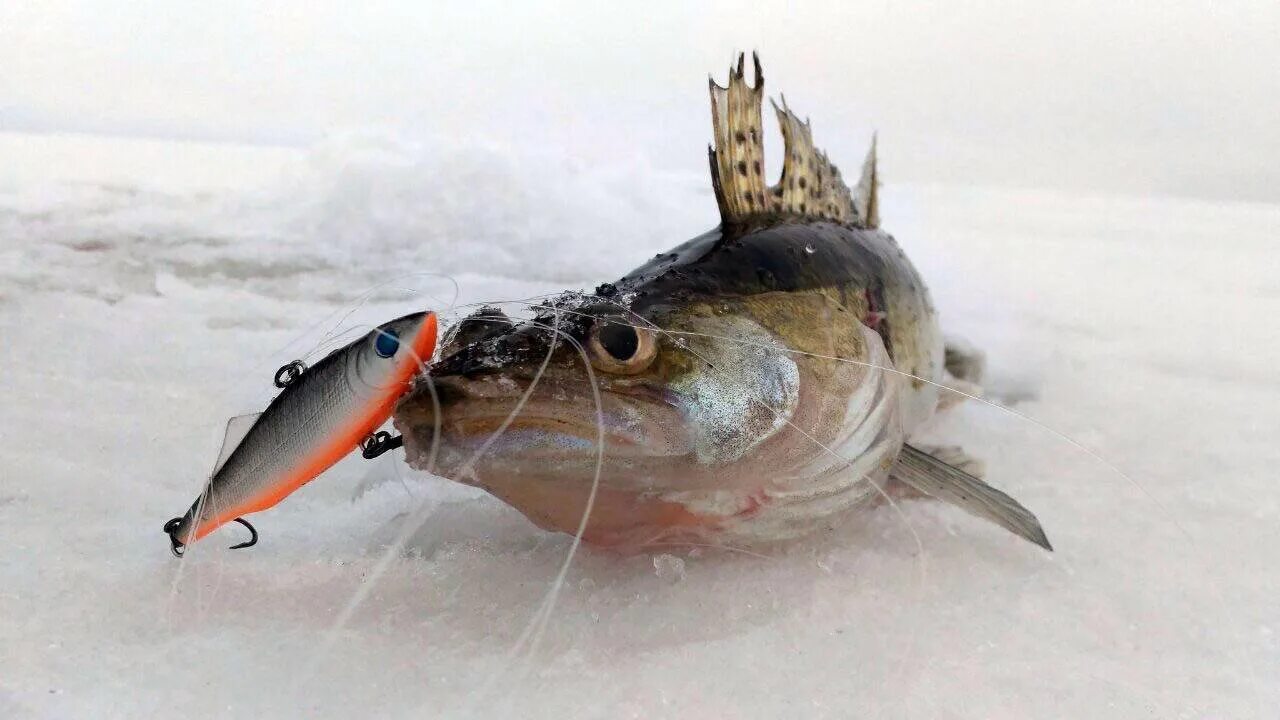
{"x":551,"y":464}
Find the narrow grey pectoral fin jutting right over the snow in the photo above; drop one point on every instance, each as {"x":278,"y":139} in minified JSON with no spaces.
{"x":935,"y":479}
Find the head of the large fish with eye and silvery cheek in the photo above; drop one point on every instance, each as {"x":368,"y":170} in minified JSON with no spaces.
{"x":643,"y":405}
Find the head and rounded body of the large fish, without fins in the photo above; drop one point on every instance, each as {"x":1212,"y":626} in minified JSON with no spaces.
{"x":762,"y":436}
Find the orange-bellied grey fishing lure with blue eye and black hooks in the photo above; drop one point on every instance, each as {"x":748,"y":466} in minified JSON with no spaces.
{"x":321,"y":416}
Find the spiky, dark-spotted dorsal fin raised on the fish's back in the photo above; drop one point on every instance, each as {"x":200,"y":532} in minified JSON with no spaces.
{"x":811,"y":185}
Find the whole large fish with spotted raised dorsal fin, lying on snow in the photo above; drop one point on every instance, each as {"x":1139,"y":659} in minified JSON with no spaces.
{"x":757,"y":384}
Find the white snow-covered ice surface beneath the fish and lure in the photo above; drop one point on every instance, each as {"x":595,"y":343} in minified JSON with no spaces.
{"x":148,"y":291}
